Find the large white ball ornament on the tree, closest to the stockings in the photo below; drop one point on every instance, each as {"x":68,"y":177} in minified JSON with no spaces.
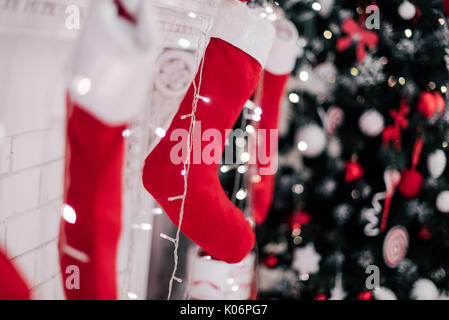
{"x":311,"y":140}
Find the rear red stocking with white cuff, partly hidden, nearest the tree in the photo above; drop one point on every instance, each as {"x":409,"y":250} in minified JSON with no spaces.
{"x":275,"y":76}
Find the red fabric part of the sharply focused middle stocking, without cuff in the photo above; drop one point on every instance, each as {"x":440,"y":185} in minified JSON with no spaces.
{"x":210,"y":219}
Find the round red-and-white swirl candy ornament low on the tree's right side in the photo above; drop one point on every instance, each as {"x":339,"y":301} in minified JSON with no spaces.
{"x":395,"y":246}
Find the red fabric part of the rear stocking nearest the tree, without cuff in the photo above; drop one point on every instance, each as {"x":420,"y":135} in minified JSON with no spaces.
{"x":273,"y":89}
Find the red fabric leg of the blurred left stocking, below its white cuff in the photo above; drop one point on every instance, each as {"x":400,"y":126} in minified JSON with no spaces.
{"x":93,"y":188}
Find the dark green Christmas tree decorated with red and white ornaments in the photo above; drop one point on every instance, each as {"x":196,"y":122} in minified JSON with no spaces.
{"x":361,"y":203}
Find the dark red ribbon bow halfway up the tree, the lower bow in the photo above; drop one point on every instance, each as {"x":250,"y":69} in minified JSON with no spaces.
{"x":392,"y":133}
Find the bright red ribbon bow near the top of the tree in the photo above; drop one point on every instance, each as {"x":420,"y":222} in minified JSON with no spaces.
{"x":356,"y":33}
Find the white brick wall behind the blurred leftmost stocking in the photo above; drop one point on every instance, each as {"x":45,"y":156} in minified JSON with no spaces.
{"x":32,"y":110}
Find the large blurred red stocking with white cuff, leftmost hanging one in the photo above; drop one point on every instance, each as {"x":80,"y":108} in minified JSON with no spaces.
{"x":109,"y":74}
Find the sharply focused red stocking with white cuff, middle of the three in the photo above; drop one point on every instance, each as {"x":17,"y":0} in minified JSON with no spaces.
{"x":239,"y":45}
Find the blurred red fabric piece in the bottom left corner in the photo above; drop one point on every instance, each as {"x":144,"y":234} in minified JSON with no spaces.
{"x":12,"y":285}
